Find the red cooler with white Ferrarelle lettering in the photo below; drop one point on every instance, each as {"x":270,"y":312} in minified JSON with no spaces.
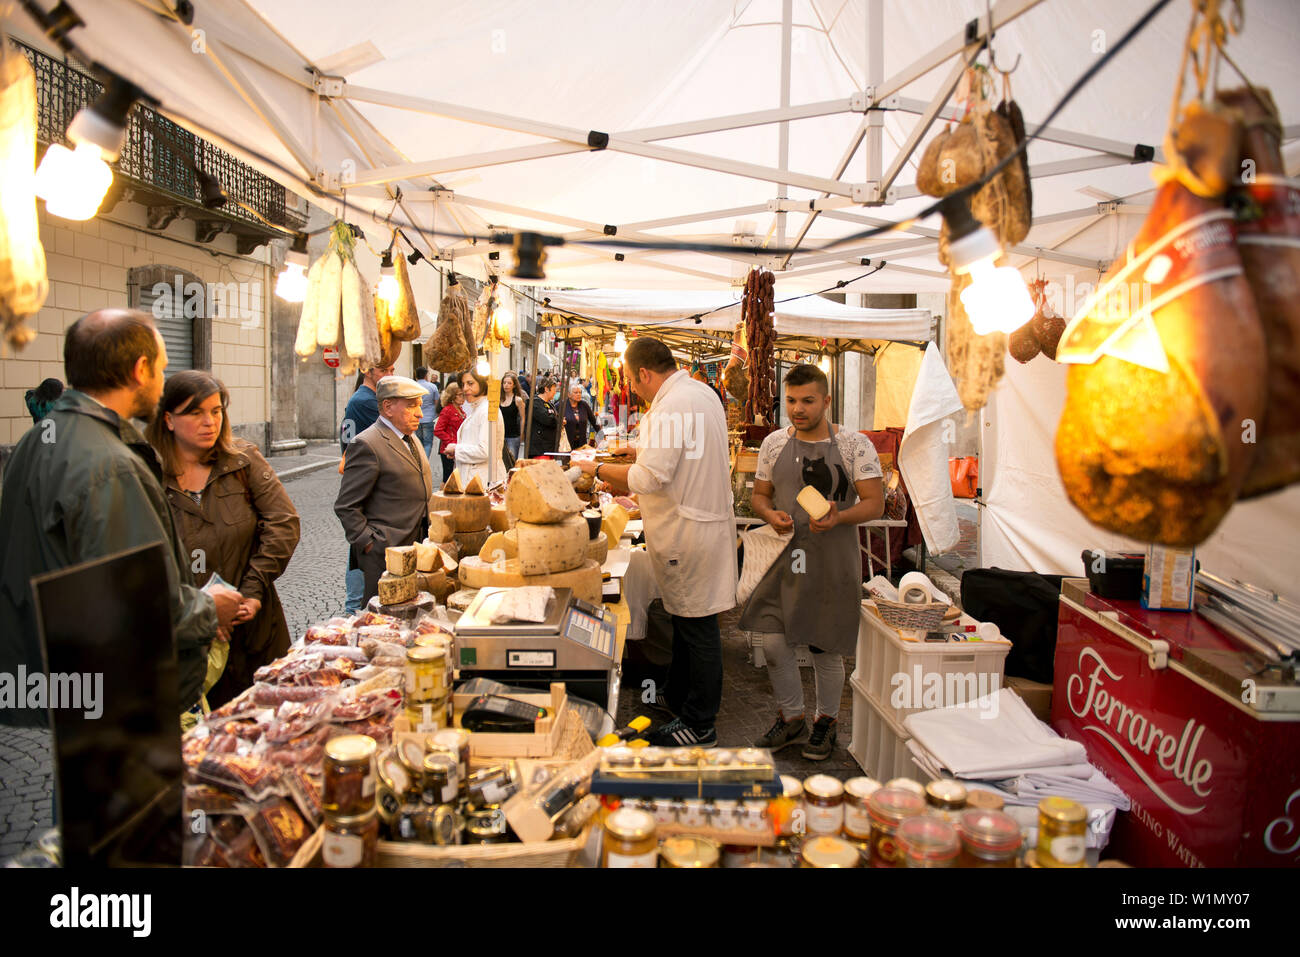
{"x":1199,"y":731}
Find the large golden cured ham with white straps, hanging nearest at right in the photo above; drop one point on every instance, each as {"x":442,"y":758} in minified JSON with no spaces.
{"x":1158,"y":397}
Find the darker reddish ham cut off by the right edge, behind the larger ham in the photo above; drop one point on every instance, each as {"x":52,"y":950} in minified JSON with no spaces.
{"x":1268,"y":239}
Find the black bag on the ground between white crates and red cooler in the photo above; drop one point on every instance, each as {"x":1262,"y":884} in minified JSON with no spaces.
{"x":1024,"y":607}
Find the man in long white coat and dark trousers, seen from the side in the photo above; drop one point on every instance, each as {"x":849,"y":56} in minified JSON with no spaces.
{"x":683,"y":483}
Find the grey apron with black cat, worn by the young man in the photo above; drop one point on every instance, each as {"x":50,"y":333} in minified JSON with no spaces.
{"x":813,"y":594}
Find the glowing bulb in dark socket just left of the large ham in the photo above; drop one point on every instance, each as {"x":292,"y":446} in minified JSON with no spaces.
{"x":998,"y":300}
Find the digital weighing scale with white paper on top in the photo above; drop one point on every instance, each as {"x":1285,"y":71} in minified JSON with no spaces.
{"x":577,"y":644}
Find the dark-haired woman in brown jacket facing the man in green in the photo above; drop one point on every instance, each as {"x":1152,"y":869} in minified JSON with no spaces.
{"x":233,"y":517}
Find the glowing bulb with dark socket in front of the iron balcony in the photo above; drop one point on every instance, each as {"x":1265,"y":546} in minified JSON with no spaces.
{"x":73,"y":183}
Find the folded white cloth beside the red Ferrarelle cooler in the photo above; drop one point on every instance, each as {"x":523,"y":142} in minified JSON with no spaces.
{"x":993,"y":741}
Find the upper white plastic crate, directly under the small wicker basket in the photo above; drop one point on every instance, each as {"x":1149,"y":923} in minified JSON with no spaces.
{"x":883,"y":656}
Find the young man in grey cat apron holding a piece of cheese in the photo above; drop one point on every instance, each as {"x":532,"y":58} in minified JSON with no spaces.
{"x":812,"y":595}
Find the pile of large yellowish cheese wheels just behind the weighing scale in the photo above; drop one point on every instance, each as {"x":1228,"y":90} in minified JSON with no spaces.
{"x":548,"y":545}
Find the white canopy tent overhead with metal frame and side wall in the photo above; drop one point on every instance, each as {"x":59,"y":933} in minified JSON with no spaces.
{"x":760,"y":124}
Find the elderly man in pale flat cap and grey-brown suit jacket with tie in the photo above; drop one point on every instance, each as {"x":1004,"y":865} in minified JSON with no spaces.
{"x":387,"y":492}
